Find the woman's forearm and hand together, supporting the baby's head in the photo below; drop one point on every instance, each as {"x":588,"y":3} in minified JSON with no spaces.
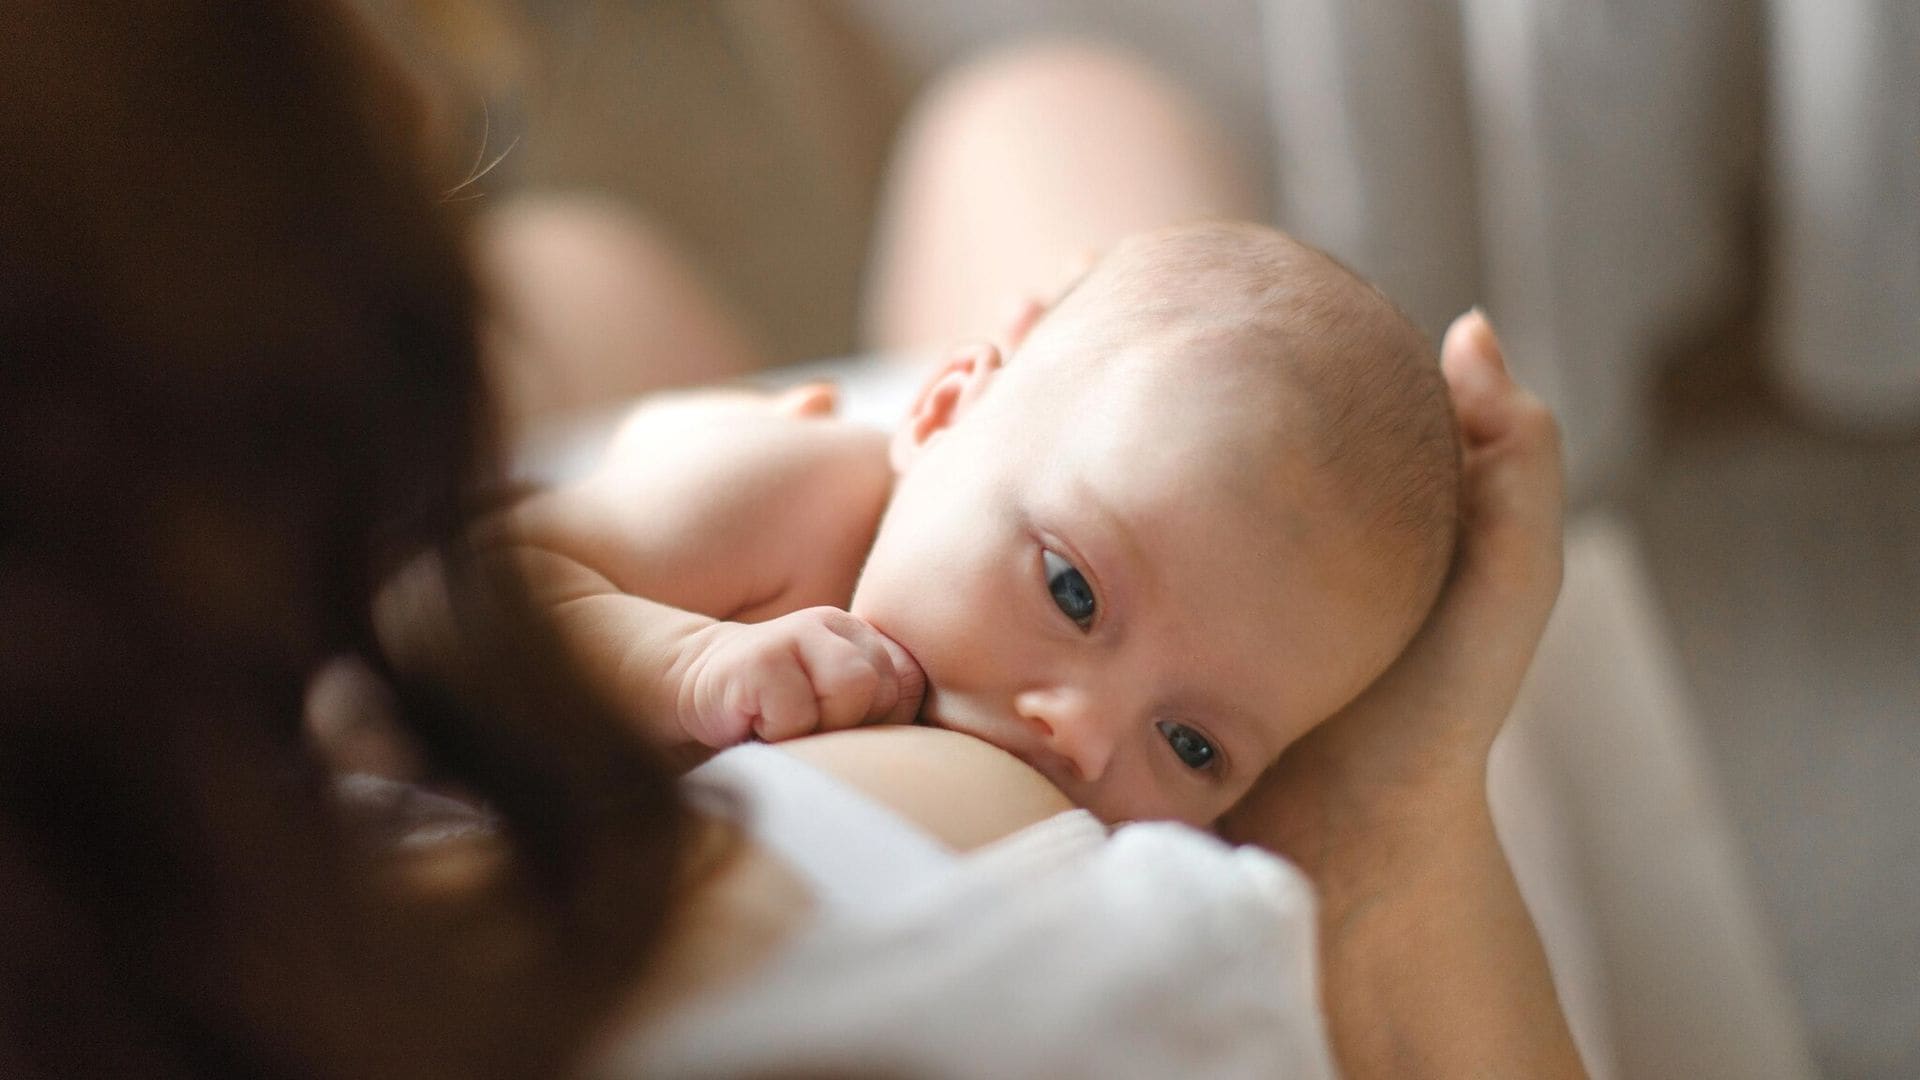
{"x":1431,"y":962}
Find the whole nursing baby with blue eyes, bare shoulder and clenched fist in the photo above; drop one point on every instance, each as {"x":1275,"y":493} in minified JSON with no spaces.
{"x":1193,"y":514}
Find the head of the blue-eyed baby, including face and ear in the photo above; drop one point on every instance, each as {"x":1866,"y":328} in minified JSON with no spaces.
{"x":1203,"y":506}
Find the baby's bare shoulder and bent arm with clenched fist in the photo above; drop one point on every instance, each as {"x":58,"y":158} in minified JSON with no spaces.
{"x":708,"y":516}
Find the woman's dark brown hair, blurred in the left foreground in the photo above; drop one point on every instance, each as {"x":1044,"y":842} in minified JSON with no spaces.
{"x":237,"y":378}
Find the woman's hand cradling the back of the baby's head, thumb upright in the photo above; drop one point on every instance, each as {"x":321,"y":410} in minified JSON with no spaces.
{"x":1418,"y":739}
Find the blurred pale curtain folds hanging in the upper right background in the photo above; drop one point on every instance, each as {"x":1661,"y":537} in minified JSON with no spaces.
{"x":1585,"y":168}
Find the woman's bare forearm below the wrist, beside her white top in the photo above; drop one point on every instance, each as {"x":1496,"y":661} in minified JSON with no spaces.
{"x":1431,"y":962}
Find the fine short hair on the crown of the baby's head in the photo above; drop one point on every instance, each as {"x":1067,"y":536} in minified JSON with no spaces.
{"x":1339,"y":376}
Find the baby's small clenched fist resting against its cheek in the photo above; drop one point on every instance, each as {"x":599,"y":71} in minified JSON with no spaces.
{"x":813,"y":670}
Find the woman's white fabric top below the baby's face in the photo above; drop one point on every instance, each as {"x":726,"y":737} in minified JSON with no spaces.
{"x":1059,"y":952}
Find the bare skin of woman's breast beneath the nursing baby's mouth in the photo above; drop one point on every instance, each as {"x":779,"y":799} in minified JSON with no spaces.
{"x":959,"y":789}
